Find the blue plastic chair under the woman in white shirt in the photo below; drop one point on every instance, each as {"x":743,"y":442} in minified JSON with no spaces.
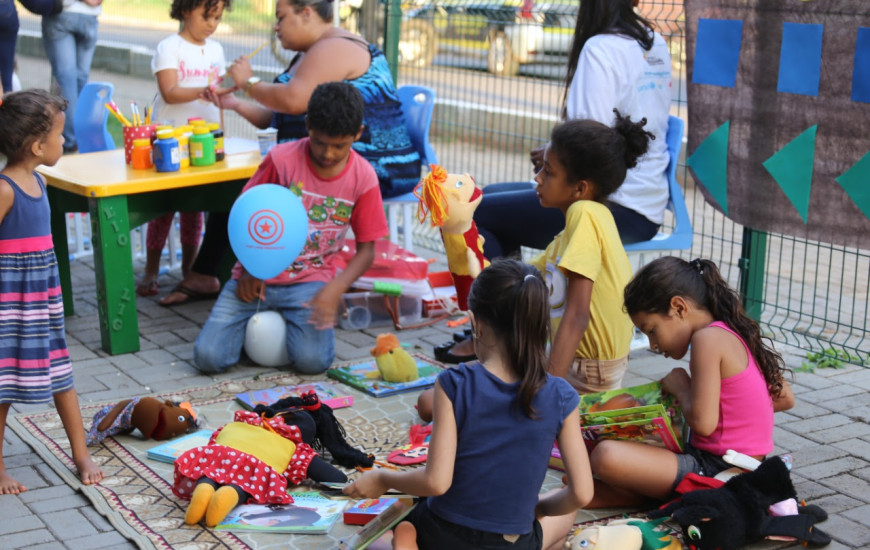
{"x":680,"y":238}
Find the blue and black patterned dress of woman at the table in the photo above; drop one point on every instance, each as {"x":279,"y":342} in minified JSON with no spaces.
{"x":385,"y":142}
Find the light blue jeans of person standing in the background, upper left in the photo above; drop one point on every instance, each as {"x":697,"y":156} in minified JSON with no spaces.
{"x":69,"y":40}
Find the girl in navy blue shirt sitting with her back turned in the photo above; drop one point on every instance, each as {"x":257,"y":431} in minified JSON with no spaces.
{"x":494,"y":424}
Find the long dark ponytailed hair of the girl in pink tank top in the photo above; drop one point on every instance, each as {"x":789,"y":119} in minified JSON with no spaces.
{"x":651,"y":290}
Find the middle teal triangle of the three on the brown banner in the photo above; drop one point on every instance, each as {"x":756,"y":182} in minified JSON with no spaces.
{"x":792,"y":168}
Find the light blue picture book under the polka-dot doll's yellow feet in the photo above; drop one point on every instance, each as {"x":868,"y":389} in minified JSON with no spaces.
{"x":310,"y":513}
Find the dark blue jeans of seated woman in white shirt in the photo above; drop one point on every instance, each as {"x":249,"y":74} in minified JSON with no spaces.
{"x":510,"y":216}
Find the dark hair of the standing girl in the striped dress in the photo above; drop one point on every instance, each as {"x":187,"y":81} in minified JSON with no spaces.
{"x":26,"y":117}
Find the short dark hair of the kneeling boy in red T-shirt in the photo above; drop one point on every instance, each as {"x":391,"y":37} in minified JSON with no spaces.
{"x":336,"y":109}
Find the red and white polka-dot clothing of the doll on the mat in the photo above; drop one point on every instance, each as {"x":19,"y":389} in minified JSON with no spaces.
{"x":228,"y":466}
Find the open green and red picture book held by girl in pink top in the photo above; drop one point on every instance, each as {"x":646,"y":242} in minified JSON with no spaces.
{"x":641,"y":413}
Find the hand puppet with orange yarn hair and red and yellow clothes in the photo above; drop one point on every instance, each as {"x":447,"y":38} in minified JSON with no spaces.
{"x":450,"y":200}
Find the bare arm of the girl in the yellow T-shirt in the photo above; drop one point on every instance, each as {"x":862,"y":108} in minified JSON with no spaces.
{"x":575,"y":319}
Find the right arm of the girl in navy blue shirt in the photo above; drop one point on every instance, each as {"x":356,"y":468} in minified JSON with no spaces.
{"x":578,"y":491}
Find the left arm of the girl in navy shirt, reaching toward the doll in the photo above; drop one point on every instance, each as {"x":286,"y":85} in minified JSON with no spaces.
{"x":436,"y":477}
